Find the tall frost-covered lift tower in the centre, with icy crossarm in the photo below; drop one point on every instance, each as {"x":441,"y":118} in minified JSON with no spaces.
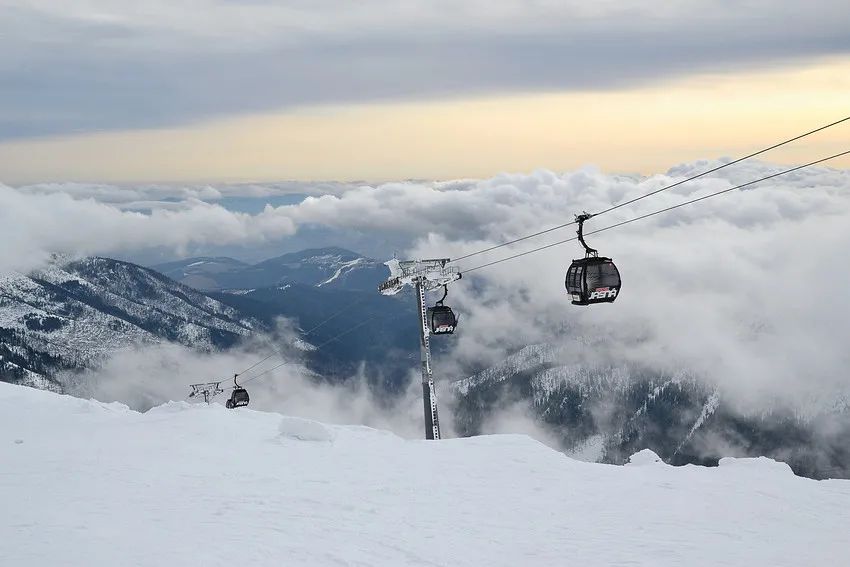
{"x":422,"y":275}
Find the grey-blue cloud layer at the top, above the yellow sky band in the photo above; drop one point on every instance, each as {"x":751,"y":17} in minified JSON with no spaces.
{"x":170,"y":63}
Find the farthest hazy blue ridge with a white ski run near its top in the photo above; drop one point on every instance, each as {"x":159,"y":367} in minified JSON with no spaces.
{"x":330,"y":267}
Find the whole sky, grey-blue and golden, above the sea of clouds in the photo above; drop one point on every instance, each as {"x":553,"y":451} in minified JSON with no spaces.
{"x":212,"y":91}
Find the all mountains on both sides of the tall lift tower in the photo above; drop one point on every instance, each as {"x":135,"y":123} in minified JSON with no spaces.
{"x":74,"y":314}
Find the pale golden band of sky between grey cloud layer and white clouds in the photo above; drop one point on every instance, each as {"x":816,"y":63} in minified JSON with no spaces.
{"x":645,"y":129}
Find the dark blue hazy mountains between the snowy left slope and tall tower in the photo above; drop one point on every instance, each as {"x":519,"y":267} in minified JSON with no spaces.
{"x":326,"y":292}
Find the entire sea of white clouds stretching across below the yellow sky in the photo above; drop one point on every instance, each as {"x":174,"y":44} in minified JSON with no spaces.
{"x":748,"y":290}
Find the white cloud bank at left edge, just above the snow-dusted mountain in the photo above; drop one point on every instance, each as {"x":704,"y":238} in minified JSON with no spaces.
{"x":35,"y":225}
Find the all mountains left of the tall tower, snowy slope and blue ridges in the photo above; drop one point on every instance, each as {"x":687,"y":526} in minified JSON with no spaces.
{"x":72,"y":315}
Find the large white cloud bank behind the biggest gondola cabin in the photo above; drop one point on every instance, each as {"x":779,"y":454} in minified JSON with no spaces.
{"x":748,"y":290}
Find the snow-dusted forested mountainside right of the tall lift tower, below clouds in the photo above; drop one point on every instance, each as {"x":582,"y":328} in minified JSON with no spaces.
{"x":614,"y":410}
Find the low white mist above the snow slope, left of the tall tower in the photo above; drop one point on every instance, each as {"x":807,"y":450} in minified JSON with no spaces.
{"x":149,"y":376}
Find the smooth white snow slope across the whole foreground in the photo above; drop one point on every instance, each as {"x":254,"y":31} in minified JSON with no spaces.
{"x":85,"y":483}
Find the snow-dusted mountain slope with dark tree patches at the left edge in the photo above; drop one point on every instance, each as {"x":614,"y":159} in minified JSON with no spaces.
{"x":73,"y":314}
